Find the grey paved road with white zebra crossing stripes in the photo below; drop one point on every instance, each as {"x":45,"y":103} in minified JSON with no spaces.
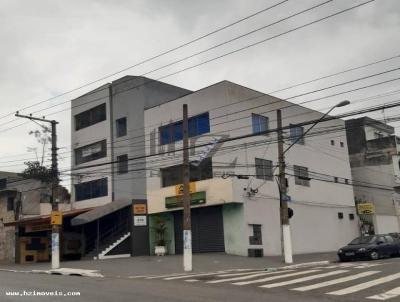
{"x":358,"y":281}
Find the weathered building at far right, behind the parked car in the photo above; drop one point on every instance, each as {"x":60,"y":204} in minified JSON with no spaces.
{"x":374,"y":159}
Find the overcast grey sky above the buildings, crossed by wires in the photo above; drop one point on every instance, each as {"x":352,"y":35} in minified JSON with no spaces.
{"x":49,"y":47}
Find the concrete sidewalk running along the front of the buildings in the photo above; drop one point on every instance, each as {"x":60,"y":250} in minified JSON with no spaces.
{"x":153,"y":265}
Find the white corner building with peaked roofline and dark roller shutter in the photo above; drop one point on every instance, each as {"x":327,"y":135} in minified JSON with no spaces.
{"x":233,"y":214}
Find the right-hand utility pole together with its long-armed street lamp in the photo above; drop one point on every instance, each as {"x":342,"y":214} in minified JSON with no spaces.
{"x":286,"y":234}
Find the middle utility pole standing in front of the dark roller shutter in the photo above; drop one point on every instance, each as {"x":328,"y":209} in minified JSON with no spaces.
{"x":187,"y":226}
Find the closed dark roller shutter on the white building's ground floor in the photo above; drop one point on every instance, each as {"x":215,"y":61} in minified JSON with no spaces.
{"x":207,"y":230}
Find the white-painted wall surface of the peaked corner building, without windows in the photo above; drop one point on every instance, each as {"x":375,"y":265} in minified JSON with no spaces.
{"x":230,"y":107}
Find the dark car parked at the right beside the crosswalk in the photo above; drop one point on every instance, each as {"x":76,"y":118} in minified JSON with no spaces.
{"x":370,"y":247}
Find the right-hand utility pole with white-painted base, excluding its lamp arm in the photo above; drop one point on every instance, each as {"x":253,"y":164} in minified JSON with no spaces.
{"x":286,"y":237}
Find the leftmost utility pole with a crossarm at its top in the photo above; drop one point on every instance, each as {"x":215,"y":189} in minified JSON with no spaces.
{"x":55,"y":234}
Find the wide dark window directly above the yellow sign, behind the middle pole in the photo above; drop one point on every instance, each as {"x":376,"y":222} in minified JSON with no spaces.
{"x":172,"y":176}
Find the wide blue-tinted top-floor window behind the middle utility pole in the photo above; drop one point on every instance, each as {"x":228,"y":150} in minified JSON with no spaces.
{"x":171,"y":133}
